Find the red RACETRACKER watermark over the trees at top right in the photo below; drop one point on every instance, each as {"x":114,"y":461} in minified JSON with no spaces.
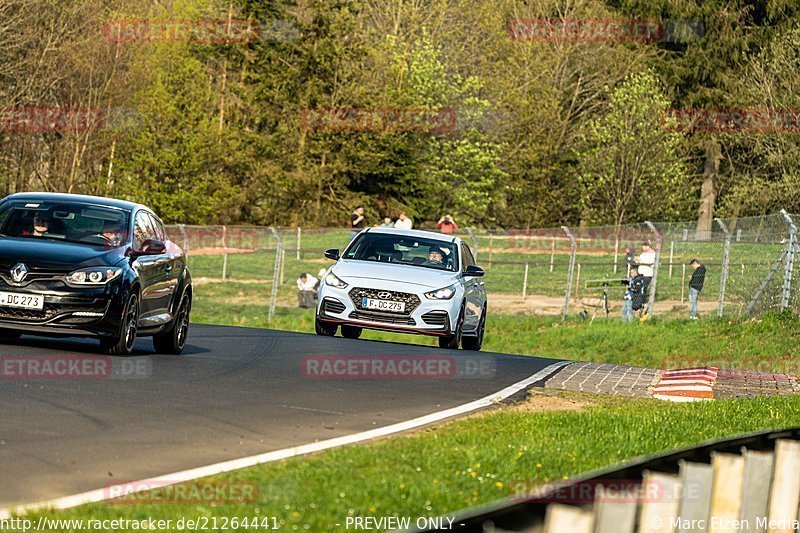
{"x":596,"y":30}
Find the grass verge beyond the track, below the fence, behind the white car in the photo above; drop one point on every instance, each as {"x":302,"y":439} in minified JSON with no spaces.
{"x":770,"y":344}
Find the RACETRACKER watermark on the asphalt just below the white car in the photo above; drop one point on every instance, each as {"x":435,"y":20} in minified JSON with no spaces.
{"x":397,"y":367}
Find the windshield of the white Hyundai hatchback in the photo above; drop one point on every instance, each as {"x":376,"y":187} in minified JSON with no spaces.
{"x":402,"y":249}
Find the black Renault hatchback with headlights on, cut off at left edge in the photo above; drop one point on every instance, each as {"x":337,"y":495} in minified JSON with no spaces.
{"x":93,"y":267}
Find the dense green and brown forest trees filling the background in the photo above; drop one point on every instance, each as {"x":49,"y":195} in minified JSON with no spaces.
{"x":560,"y":131}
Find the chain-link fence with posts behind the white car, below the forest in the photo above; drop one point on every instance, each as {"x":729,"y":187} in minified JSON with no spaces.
{"x":556,"y":271}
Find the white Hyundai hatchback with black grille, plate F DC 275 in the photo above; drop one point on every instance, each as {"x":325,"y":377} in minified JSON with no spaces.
{"x":406,"y":281}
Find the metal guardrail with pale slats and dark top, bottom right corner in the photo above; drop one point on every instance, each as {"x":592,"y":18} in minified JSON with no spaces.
{"x":746,"y":483}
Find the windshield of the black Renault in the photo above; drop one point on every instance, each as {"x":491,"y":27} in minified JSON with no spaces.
{"x":65,"y":221}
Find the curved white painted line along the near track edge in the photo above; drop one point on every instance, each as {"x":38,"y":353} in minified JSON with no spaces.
{"x":98,"y":495}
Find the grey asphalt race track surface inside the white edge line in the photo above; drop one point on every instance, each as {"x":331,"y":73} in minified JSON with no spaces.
{"x":235,"y":392}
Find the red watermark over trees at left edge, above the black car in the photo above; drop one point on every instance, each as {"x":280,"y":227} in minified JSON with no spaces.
{"x":62,"y":119}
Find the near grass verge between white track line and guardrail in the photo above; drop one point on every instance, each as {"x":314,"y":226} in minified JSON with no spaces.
{"x":468,"y":462}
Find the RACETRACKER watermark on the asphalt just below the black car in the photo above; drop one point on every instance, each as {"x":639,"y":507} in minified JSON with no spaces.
{"x":47,"y":367}
